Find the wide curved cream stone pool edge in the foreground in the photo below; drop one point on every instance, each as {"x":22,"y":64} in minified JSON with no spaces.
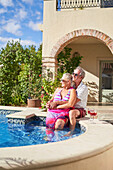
{"x":94,"y":141}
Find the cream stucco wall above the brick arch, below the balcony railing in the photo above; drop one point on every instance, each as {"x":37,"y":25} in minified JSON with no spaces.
{"x":57,"y":24}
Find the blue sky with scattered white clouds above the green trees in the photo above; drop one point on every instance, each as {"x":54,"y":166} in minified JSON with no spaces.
{"x":19,"y":19}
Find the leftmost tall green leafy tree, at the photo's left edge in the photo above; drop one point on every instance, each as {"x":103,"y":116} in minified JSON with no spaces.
{"x":10,"y":70}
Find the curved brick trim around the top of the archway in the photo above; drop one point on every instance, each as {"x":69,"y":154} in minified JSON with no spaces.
{"x":65,"y":40}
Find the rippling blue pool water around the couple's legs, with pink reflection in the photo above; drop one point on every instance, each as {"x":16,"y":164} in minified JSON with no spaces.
{"x":32,"y":133}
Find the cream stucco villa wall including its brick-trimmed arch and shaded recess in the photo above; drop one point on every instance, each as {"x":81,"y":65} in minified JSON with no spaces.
{"x":63,"y":28}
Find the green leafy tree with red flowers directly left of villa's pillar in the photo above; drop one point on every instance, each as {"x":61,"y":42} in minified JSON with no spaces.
{"x":30,"y":74}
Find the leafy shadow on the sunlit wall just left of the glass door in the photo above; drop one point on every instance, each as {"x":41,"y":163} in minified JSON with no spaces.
{"x":93,"y":91}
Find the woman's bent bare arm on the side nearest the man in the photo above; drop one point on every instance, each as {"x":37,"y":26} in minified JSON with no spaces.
{"x":71,"y":102}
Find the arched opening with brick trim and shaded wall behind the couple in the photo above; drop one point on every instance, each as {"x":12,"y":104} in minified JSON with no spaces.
{"x":95,"y":47}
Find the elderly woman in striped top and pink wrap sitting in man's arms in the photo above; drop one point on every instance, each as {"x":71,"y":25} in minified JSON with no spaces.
{"x":58,"y":117}
